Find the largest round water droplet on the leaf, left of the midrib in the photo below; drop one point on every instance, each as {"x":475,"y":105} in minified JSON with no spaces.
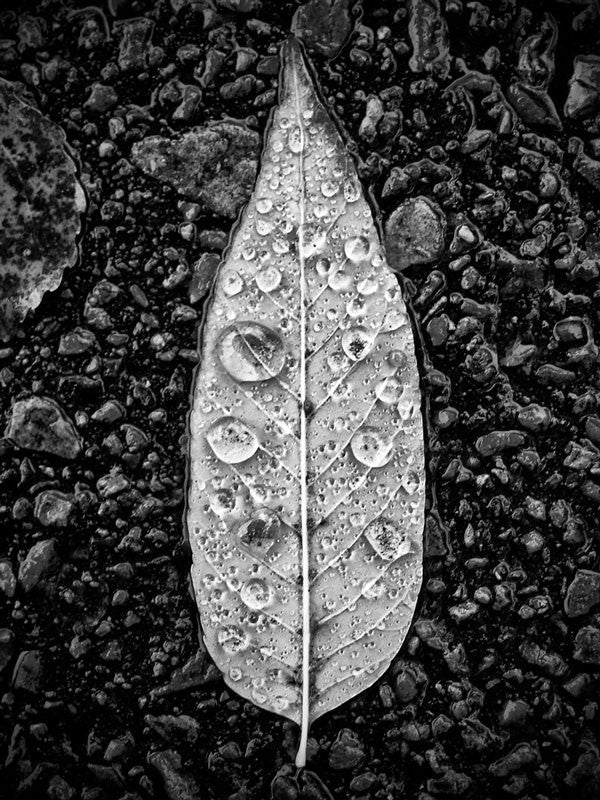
{"x":250,"y":351}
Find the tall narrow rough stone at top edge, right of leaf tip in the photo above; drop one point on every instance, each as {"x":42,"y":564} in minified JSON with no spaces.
{"x":428,"y":33}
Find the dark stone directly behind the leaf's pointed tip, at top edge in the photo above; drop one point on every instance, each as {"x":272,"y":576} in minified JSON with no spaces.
{"x":323,"y":25}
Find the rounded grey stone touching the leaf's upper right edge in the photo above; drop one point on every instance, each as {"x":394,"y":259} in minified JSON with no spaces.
{"x":415,"y":233}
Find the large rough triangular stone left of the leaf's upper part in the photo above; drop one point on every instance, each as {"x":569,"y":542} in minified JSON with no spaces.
{"x":215,"y":164}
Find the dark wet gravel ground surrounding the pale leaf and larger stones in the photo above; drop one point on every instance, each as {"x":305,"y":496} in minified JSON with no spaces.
{"x":107,"y":691}
